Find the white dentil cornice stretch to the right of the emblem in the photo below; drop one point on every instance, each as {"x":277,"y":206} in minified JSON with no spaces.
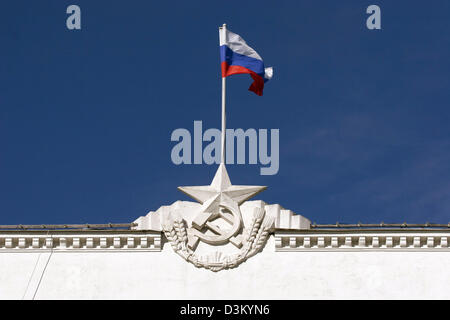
{"x":349,"y":240}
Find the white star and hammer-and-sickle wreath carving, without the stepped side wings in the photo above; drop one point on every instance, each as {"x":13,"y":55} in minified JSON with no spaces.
{"x":218,"y":221}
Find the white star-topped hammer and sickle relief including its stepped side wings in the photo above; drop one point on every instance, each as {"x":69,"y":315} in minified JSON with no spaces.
{"x":203,"y":233}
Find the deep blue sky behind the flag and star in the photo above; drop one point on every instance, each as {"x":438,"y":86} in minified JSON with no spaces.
{"x":86,"y":116}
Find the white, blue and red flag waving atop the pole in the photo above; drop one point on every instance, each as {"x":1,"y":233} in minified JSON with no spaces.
{"x":237,"y":57}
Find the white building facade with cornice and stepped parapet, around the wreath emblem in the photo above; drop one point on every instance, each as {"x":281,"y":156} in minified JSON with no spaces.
{"x":298,"y":261}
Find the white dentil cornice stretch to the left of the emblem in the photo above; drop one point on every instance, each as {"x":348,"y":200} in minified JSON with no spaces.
{"x":92,"y":241}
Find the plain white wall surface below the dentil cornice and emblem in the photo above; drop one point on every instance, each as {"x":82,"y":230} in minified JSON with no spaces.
{"x":357,"y":274}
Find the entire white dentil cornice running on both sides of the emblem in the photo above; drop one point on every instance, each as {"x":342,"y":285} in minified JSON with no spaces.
{"x":285,"y":240}
